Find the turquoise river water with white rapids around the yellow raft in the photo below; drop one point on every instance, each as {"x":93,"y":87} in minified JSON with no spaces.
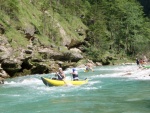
{"x":108,"y":91}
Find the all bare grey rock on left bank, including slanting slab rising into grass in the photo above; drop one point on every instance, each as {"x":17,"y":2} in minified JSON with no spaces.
{"x":36,"y":57}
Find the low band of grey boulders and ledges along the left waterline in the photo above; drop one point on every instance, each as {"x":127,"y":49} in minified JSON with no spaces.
{"x":35,"y":59}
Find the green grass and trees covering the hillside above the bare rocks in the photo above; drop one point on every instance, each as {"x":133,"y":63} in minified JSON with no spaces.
{"x":112,"y":26}
